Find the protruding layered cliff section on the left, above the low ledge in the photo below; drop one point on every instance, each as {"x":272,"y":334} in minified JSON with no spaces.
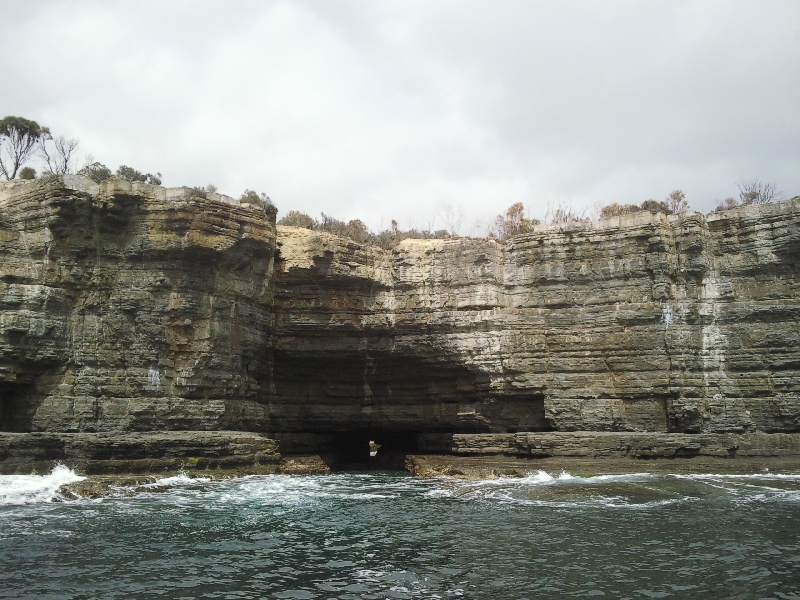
{"x":128,"y":306}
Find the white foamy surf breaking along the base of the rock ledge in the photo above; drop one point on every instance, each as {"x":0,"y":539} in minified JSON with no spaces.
{"x":540,"y":488}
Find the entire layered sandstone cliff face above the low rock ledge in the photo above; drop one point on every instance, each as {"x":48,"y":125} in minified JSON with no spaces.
{"x":134,"y":307}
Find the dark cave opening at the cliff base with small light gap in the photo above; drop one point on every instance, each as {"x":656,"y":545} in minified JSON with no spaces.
{"x":372,"y":449}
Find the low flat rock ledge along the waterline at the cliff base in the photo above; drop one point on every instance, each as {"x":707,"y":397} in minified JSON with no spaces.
{"x":128,"y":463}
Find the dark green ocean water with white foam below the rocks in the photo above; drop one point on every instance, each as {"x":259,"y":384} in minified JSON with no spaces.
{"x":391,"y":535}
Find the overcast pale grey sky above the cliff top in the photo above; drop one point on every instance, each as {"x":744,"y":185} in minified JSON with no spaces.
{"x":384,"y":110}
